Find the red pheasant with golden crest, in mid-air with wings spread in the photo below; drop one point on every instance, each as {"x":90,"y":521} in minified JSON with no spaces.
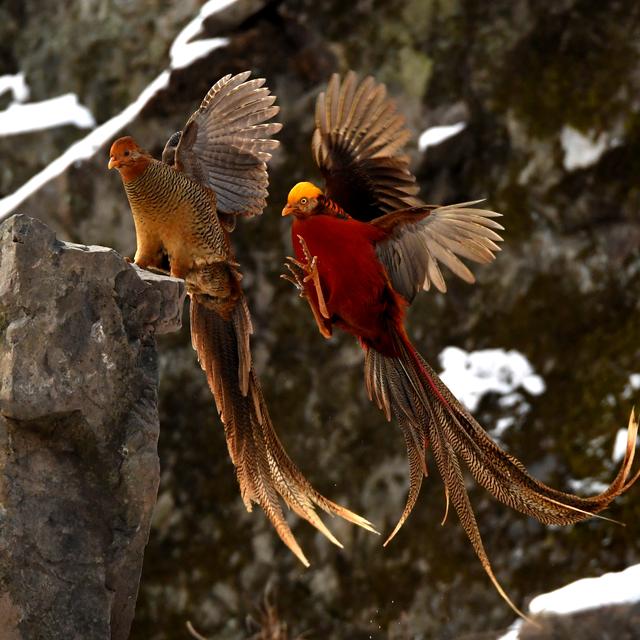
{"x":365,"y":246}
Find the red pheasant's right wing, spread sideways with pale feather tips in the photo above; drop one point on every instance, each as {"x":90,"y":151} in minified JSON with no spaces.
{"x":420,"y":238}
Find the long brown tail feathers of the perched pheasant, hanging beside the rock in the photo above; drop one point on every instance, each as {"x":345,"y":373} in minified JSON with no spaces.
{"x":264,"y":470}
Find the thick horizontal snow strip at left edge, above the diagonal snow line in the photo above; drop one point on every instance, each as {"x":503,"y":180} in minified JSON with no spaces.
{"x":20,"y":118}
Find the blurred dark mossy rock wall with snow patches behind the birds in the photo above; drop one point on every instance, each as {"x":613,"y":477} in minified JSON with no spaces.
{"x":546,"y":97}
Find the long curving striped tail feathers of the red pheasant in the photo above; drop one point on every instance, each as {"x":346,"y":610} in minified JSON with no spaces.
{"x":429,"y":415}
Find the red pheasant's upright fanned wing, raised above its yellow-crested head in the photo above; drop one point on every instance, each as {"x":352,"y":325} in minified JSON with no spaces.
{"x":358,"y":146}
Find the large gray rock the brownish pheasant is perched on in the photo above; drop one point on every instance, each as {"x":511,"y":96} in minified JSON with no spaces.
{"x":79,"y":426}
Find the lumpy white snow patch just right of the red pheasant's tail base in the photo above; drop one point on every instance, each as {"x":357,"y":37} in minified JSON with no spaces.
{"x":471,"y":375}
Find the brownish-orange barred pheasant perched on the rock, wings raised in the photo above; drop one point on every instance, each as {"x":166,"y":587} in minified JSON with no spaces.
{"x":184,"y":208}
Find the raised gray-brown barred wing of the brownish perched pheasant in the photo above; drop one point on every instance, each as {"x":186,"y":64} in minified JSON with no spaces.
{"x":226,"y":143}
